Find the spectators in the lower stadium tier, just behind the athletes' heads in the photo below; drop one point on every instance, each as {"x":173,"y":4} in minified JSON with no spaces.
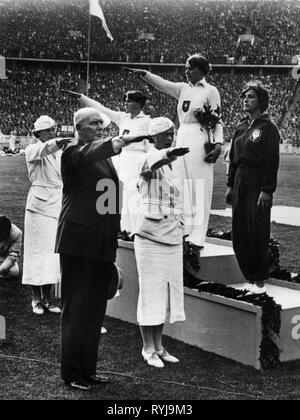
{"x":32,"y":90}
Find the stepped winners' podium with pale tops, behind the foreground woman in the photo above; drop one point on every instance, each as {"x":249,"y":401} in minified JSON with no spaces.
{"x":220,"y":325}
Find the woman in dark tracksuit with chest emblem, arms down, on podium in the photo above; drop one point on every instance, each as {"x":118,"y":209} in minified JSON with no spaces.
{"x":252,"y":180}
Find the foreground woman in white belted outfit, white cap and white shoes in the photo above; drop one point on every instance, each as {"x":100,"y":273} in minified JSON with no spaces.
{"x":159,"y":243}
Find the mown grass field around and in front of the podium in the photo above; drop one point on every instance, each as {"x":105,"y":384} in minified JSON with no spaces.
{"x":200,"y":375}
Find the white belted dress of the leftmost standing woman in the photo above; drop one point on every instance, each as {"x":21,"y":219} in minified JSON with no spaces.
{"x":41,"y":265}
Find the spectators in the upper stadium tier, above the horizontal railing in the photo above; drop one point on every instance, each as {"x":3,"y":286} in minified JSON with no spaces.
{"x":152,"y":31}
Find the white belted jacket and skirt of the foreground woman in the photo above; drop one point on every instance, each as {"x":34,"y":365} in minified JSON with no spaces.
{"x":159,"y":242}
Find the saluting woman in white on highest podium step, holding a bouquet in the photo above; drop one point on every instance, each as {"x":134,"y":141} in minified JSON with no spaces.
{"x":195,"y":169}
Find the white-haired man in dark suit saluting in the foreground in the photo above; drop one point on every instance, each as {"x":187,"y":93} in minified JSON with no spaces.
{"x":87,"y":242}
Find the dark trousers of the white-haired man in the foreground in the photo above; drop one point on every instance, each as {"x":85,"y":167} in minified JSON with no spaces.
{"x":85,"y":284}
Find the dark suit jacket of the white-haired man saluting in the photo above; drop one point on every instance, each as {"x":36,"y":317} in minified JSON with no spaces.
{"x":82,"y":230}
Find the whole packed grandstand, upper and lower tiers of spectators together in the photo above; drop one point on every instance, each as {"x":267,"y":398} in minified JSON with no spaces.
{"x":233,"y":35}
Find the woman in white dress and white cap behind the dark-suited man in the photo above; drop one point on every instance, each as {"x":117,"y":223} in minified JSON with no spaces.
{"x":41,"y":268}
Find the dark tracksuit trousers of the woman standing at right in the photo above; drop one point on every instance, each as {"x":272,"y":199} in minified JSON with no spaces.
{"x":250,"y":232}
